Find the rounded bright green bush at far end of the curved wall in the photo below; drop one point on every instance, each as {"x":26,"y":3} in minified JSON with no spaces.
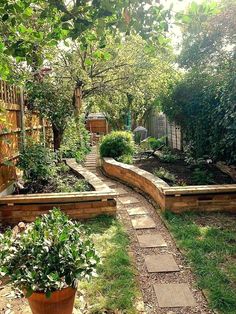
{"x":117,"y":144}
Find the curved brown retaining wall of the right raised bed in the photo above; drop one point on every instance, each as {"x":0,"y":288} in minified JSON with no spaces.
{"x":176,"y":199}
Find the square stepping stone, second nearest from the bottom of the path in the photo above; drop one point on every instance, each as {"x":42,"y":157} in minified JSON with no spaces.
{"x":161,"y":263}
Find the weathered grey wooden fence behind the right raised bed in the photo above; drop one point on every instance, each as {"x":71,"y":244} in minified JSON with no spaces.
{"x":158,"y":125}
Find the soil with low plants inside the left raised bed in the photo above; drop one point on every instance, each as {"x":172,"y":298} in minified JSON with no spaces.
{"x":68,"y":179}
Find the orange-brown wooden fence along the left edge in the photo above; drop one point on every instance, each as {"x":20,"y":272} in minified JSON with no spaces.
{"x":19,"y":124}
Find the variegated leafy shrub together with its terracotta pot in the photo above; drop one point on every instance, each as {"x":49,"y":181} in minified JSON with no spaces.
{"x":46,"y":261}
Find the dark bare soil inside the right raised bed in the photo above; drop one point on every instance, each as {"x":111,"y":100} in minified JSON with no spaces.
{"x":182,"y":171}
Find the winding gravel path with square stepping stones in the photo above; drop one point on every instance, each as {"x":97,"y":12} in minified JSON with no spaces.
{"x":167,"y":284}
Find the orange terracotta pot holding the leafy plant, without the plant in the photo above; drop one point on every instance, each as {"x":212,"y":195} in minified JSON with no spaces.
{"x":60,"y":302}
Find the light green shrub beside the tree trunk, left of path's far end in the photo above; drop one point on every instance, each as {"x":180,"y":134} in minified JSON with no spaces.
{"x":75,"y":142}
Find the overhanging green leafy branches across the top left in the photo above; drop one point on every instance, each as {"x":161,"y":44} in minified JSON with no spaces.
{"x":28,"y":30}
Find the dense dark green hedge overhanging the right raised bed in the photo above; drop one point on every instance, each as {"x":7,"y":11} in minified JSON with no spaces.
{"x":205,"y":108}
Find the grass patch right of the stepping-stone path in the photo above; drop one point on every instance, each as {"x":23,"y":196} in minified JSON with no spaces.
{"x":209,"y":244}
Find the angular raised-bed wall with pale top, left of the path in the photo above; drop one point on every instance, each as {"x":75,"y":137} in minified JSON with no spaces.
{"x":79,"y":205}
